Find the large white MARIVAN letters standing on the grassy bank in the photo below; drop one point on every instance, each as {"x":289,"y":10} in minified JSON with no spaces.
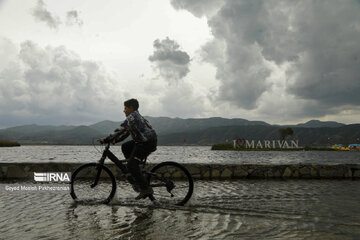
{"x":240,"y":142}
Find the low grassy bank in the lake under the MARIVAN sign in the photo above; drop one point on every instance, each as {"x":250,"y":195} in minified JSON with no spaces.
{"x":230,"y":147}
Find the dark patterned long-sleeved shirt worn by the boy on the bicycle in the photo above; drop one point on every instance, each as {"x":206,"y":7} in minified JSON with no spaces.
{"x":137,"y":126}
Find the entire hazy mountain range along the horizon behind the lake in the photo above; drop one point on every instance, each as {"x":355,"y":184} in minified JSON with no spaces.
{"x":196,"y":131}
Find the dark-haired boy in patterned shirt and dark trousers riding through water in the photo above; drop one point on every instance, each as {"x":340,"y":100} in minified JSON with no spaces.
{"x":144,"y":142}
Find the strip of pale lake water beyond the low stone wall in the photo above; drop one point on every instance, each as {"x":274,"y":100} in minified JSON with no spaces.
{"x":181,"y":154}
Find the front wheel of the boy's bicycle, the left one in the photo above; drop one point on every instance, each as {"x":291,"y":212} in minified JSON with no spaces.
{"x":93,"y":183}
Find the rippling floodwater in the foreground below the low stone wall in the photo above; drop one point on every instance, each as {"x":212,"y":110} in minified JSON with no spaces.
{"x":242,"y":209}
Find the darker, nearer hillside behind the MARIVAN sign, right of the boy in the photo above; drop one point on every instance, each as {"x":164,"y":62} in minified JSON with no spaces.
{"x":306,"y":136}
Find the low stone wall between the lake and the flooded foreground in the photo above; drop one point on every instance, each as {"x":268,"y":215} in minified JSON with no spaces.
{"x":10,"y":171}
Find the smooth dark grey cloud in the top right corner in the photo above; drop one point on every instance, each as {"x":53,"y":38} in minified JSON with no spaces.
{"x":328,"y":64}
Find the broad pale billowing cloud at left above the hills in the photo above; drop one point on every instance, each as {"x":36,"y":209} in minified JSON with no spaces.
{"x":54,"y":86}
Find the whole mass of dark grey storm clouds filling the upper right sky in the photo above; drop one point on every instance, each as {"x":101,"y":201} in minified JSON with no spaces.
{"x":317,"y":40}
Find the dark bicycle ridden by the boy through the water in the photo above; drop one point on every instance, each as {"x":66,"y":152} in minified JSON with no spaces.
{"x":95,"y":182}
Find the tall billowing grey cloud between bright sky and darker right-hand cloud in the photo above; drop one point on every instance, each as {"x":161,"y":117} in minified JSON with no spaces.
{"x":239,"y":61}
